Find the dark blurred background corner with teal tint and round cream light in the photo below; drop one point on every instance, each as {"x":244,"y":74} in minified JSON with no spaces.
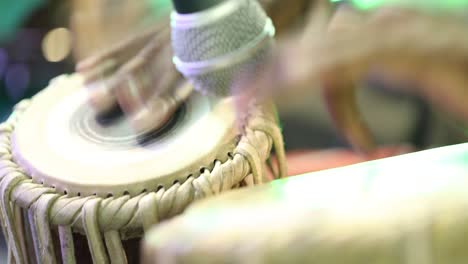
{"x":35,"y":46}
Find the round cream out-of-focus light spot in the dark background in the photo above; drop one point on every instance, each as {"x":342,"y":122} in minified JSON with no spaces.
{"x":56,"y":44}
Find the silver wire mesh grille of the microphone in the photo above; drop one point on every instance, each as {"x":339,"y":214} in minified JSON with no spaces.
{"x":224,"y":36}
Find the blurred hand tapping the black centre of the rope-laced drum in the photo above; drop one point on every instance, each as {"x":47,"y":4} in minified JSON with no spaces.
{"x":137,"y":75}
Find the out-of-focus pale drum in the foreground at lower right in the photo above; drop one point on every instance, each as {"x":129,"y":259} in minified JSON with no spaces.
{"x":407,"y":209}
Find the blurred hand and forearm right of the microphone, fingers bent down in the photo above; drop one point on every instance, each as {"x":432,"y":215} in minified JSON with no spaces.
{"x":340,"y":51}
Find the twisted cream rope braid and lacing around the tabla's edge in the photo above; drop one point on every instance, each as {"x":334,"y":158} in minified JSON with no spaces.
{"x":108,"y":221}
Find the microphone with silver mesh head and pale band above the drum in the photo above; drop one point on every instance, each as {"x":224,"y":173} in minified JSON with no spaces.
{"x":216,"y":41}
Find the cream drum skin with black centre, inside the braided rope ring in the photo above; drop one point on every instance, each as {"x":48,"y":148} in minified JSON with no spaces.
{"x":60,"y":143}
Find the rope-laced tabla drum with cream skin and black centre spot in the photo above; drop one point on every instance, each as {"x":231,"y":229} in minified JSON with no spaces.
{"x":76,"y":189}
